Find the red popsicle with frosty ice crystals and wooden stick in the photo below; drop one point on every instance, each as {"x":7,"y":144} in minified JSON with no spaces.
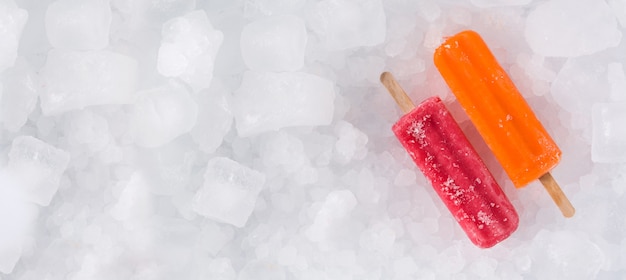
{"x":442,"y":152}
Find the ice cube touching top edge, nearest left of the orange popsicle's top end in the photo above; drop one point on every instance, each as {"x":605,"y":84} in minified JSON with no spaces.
{"x":344,"y":24}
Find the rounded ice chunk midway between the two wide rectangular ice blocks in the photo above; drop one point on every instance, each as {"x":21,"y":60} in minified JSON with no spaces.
{"x":161,"y":115}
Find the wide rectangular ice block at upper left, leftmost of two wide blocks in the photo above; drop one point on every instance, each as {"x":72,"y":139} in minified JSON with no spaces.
{"x":76,"y":79}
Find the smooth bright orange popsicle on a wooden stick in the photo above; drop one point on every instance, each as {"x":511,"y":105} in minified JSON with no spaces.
{"x":501,"y":115}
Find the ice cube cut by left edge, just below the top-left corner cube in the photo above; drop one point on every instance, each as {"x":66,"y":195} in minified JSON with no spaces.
{"x":20,"y":89}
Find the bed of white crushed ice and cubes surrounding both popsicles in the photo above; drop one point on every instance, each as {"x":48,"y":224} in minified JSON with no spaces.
{"x":251,"y":139}
